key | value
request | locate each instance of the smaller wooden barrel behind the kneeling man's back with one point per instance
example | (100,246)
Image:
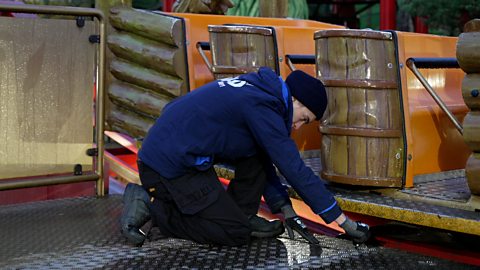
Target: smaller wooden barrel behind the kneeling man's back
(241,49)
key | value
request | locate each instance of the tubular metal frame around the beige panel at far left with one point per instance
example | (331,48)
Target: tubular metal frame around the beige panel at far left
(100,110)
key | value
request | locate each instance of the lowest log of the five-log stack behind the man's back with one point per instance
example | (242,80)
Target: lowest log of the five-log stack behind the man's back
(127,122)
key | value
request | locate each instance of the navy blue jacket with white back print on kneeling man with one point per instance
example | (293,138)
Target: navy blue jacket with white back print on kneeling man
(236,118)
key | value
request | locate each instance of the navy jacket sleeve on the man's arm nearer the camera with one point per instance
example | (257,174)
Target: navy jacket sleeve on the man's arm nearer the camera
(268,128)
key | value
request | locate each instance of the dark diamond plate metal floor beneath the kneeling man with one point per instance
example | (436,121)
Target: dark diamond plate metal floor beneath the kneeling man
(83,233)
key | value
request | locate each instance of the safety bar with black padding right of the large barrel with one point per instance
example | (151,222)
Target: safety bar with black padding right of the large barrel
(430,63)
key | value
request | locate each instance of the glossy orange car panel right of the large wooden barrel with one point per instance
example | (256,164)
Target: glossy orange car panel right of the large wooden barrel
(432,140)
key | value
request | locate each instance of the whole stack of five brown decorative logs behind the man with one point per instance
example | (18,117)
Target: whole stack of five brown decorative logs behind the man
(149,67)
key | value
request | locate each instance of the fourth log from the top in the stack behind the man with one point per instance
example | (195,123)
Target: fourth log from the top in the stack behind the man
(137,99)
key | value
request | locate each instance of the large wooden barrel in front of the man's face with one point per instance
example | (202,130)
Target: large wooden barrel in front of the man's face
(362,128)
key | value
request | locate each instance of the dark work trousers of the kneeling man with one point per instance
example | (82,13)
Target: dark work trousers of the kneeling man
(196,207)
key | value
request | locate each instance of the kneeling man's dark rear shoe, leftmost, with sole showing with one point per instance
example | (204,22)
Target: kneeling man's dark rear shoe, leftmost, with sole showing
(135,213)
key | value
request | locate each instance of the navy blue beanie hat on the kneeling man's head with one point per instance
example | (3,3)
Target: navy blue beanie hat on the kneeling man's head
(309,91)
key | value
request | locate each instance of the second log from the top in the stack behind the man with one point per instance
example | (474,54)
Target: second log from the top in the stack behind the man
(148,53)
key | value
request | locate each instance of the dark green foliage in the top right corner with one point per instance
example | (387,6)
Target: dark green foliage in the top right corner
(443,17)
